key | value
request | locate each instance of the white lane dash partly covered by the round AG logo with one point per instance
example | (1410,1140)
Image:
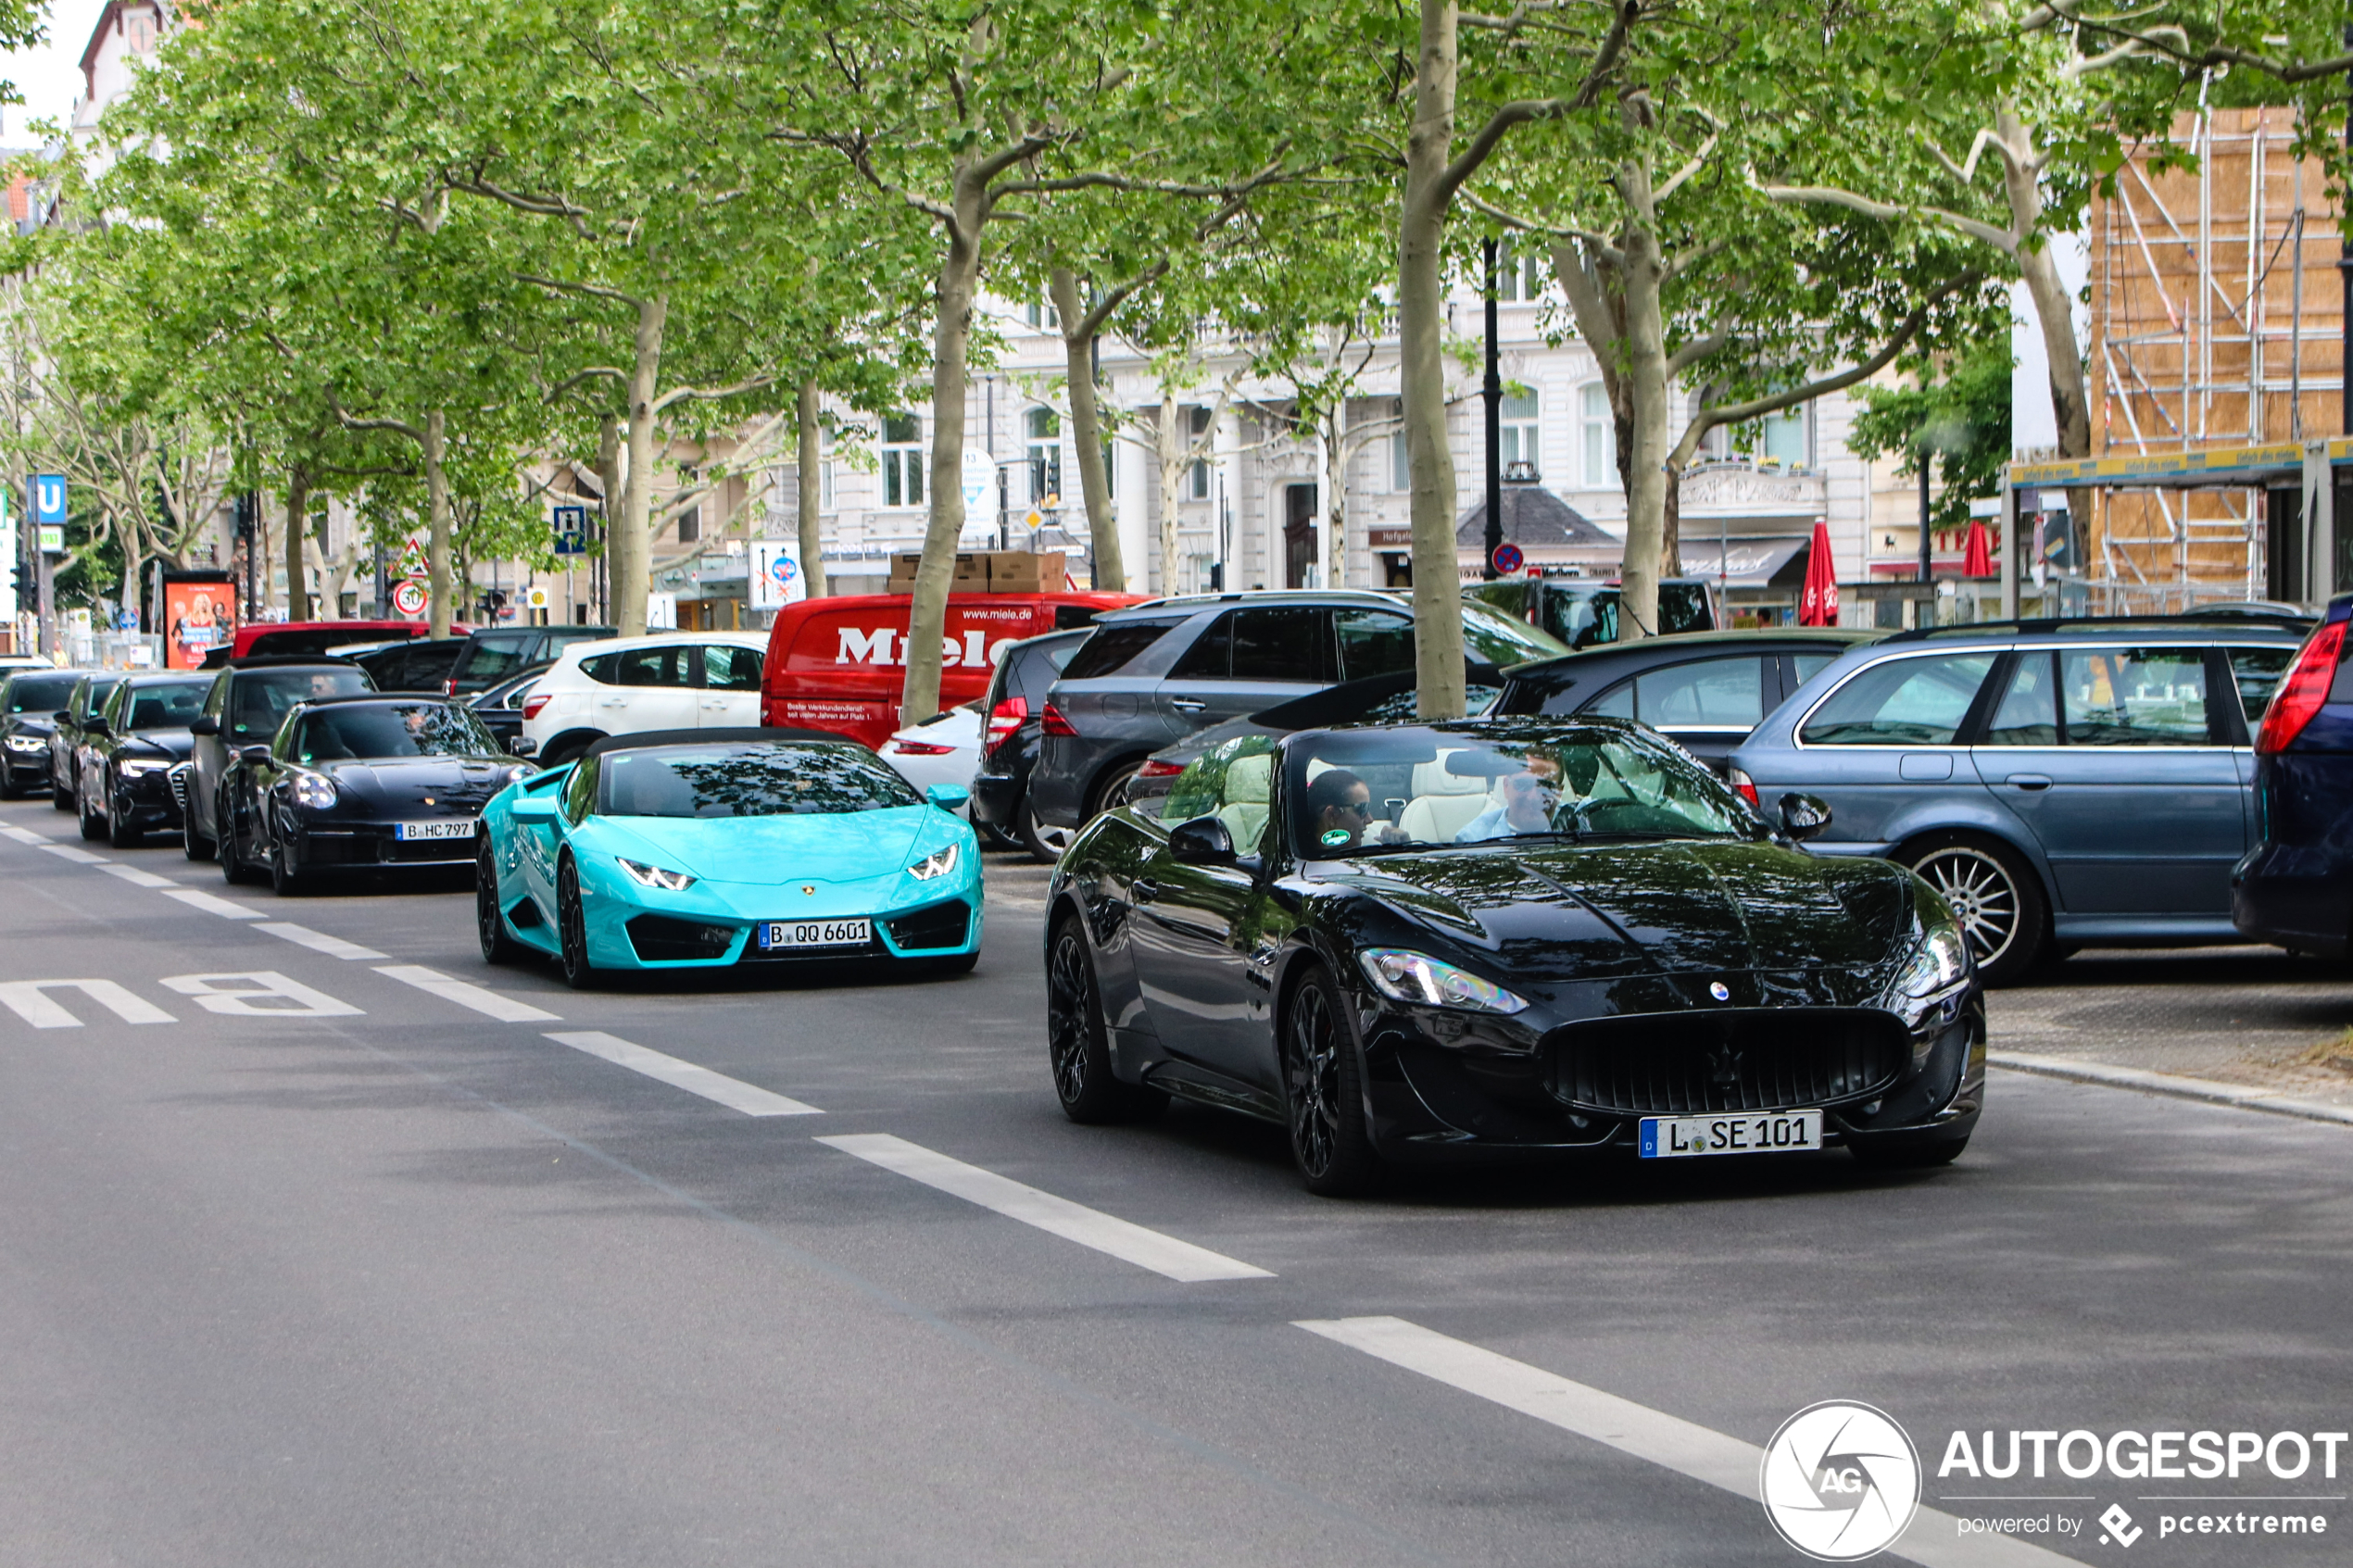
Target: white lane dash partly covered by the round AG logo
(1672,1442)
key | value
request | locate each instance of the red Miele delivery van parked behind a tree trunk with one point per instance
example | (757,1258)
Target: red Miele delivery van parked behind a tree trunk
(841,664)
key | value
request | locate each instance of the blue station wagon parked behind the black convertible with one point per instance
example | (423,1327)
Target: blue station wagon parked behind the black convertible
(2058,782)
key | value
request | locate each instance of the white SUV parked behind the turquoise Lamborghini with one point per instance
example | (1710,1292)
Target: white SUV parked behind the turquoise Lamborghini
(634,685)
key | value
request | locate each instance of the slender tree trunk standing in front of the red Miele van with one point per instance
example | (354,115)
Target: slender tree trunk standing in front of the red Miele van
(928,612)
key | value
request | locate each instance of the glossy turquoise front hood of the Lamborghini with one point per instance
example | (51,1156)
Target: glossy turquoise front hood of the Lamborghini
(759,850)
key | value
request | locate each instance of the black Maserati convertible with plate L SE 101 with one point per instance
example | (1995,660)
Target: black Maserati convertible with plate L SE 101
(1514,937)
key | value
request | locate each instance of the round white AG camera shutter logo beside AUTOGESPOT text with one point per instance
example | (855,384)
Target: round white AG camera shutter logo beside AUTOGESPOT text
(1841,1482)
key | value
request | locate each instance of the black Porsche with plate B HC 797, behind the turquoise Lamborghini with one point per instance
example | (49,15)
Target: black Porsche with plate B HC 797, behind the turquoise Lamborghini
(361,782)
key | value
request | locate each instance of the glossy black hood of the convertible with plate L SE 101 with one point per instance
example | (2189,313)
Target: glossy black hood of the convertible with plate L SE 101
(1594,911)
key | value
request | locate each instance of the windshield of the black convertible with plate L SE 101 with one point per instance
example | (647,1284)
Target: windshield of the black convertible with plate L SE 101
(1415,789)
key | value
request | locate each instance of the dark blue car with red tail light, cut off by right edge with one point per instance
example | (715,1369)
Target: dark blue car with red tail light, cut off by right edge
(2295,887)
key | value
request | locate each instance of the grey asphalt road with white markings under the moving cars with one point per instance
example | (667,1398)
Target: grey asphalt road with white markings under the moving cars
(392,1280)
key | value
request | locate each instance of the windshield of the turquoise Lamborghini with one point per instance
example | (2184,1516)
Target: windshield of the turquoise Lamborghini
(756,779)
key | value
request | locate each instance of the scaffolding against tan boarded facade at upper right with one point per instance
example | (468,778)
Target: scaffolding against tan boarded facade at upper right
(2218,321)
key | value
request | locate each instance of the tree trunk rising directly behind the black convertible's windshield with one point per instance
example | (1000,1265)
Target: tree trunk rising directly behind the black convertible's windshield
(1439,610)
